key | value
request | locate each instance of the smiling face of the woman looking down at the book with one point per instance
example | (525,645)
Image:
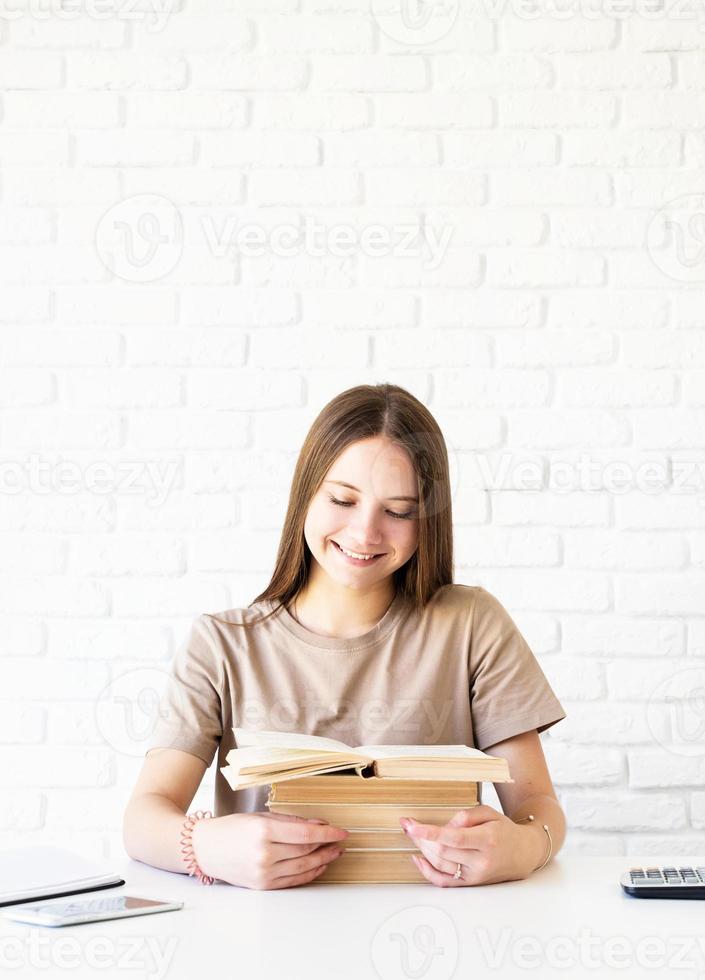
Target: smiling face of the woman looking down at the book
(367,520)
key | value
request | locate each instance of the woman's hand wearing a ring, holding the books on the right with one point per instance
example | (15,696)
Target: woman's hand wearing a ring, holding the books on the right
(488,846)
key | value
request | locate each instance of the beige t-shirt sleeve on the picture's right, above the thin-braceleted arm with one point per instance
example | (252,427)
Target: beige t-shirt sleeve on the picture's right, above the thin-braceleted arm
(509,693)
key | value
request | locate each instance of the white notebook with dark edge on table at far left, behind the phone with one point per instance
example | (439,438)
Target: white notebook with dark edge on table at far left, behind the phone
(41,871)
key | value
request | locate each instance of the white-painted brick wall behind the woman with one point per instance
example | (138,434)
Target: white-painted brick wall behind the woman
(157,373)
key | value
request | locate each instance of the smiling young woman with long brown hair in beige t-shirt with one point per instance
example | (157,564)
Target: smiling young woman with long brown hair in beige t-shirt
(361,635)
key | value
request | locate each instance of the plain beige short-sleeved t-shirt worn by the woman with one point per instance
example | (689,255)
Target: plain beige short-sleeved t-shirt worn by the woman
(460,672)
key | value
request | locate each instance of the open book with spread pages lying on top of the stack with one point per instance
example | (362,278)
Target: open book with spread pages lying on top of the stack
(264,757)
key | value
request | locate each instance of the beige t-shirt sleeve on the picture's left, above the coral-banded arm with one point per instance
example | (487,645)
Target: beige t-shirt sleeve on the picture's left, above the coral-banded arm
(190,709)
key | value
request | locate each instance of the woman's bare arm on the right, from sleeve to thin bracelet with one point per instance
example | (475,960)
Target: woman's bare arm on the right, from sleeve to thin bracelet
(531,792)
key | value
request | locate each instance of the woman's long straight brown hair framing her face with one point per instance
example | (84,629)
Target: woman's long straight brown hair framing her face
(359,413)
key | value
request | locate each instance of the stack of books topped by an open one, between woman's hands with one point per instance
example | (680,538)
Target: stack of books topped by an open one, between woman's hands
(365,790)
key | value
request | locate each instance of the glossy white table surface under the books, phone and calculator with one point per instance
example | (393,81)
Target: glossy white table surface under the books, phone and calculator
(569,920)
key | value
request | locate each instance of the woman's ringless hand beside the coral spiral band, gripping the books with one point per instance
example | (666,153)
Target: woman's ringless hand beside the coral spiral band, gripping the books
(265,850)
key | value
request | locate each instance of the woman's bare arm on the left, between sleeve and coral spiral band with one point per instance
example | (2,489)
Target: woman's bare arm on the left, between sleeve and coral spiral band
(156,810)
